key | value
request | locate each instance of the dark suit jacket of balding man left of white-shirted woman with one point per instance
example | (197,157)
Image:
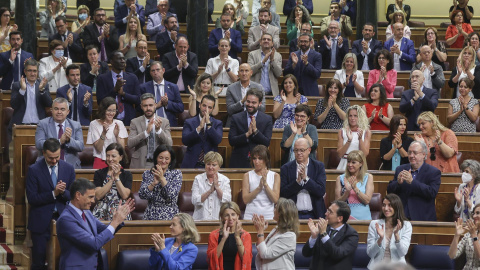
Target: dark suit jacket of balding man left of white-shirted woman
(189,74)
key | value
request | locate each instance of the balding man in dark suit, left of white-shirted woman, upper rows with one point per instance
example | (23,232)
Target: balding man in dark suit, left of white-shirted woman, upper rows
(181,66)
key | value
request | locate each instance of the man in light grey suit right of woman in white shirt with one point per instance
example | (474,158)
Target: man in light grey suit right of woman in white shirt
(266,65)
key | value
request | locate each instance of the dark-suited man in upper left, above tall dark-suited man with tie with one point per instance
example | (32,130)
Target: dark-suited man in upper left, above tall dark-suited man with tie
(102,35)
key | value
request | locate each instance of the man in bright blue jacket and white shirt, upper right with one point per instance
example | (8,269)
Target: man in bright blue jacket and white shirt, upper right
(401,48)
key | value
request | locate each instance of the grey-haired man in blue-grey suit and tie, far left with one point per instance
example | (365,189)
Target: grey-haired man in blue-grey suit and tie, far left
(68,132)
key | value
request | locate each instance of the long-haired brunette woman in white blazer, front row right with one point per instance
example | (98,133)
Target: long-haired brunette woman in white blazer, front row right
(389,237)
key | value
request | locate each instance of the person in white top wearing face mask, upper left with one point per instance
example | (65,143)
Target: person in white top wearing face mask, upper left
(53,67)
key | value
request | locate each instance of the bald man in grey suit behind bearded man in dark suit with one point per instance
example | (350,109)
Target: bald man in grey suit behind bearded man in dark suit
(237,92)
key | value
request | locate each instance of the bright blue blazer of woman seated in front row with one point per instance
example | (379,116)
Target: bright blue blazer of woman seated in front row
(182,258)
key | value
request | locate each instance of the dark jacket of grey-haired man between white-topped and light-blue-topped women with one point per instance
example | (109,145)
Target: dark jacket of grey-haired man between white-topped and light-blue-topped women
(316,185)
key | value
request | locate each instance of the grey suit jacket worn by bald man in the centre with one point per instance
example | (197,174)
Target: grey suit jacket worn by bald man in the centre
(234,98)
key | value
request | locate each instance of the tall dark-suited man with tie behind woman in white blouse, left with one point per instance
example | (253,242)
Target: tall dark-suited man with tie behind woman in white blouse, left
(122,86)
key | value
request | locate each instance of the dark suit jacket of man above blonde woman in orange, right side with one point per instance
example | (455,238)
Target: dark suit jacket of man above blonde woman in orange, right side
(428,103)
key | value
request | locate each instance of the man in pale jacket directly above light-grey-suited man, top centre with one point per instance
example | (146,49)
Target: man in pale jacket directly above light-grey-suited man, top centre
(255,33)
